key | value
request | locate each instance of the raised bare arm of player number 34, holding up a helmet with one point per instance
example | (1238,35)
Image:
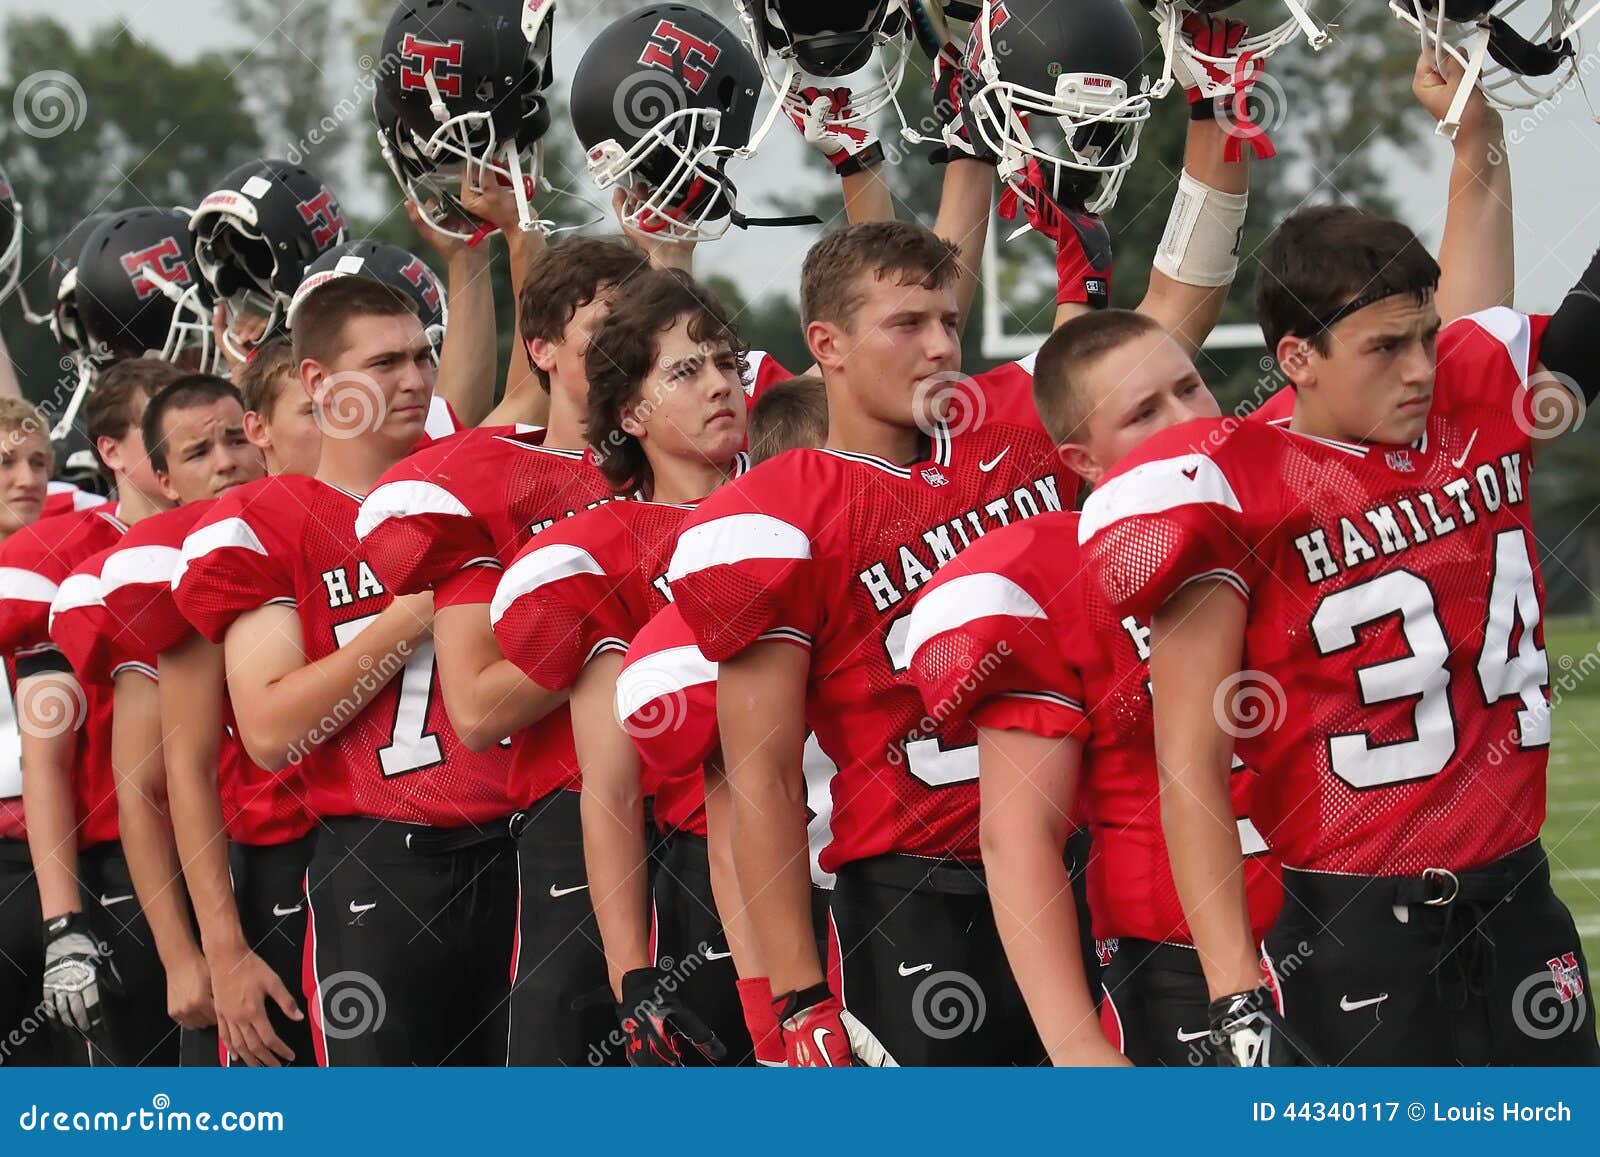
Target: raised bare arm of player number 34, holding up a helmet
(1478,252)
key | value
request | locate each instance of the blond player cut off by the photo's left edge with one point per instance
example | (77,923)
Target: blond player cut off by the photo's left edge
(26,460)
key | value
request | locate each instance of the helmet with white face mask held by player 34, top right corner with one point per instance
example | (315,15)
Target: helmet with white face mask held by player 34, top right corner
(1518,52)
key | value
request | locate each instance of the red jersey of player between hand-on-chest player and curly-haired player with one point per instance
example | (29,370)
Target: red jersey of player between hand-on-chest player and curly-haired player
(454,516)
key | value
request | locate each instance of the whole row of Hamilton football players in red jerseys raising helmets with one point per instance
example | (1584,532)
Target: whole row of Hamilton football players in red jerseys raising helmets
(679,711)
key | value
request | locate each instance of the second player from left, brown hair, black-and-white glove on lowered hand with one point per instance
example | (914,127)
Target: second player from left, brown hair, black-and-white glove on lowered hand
(70,793)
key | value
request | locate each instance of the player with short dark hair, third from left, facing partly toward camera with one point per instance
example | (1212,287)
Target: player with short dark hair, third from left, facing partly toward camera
(105,625)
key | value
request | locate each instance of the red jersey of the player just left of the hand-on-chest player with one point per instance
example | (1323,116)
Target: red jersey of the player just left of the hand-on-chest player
(137,590)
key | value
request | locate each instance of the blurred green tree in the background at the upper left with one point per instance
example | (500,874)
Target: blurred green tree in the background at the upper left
(105,122)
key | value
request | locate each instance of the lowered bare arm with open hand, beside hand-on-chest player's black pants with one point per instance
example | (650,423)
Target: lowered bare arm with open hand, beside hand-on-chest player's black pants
(193,679)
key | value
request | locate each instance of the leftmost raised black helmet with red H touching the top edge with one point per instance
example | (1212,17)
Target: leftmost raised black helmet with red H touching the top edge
(463,89)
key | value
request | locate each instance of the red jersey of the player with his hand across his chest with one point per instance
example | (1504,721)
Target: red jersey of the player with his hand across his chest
(292,540)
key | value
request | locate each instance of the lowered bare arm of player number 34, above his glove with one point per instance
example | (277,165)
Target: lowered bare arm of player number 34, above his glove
(1198,643)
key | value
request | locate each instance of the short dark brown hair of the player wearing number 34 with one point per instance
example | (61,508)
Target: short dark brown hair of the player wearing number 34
(1327,257)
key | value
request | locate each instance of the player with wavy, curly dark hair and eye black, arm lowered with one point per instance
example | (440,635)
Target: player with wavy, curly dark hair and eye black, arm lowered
(666,420)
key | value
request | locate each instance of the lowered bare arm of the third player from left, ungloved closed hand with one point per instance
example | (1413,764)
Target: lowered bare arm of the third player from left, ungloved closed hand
(145,823)
